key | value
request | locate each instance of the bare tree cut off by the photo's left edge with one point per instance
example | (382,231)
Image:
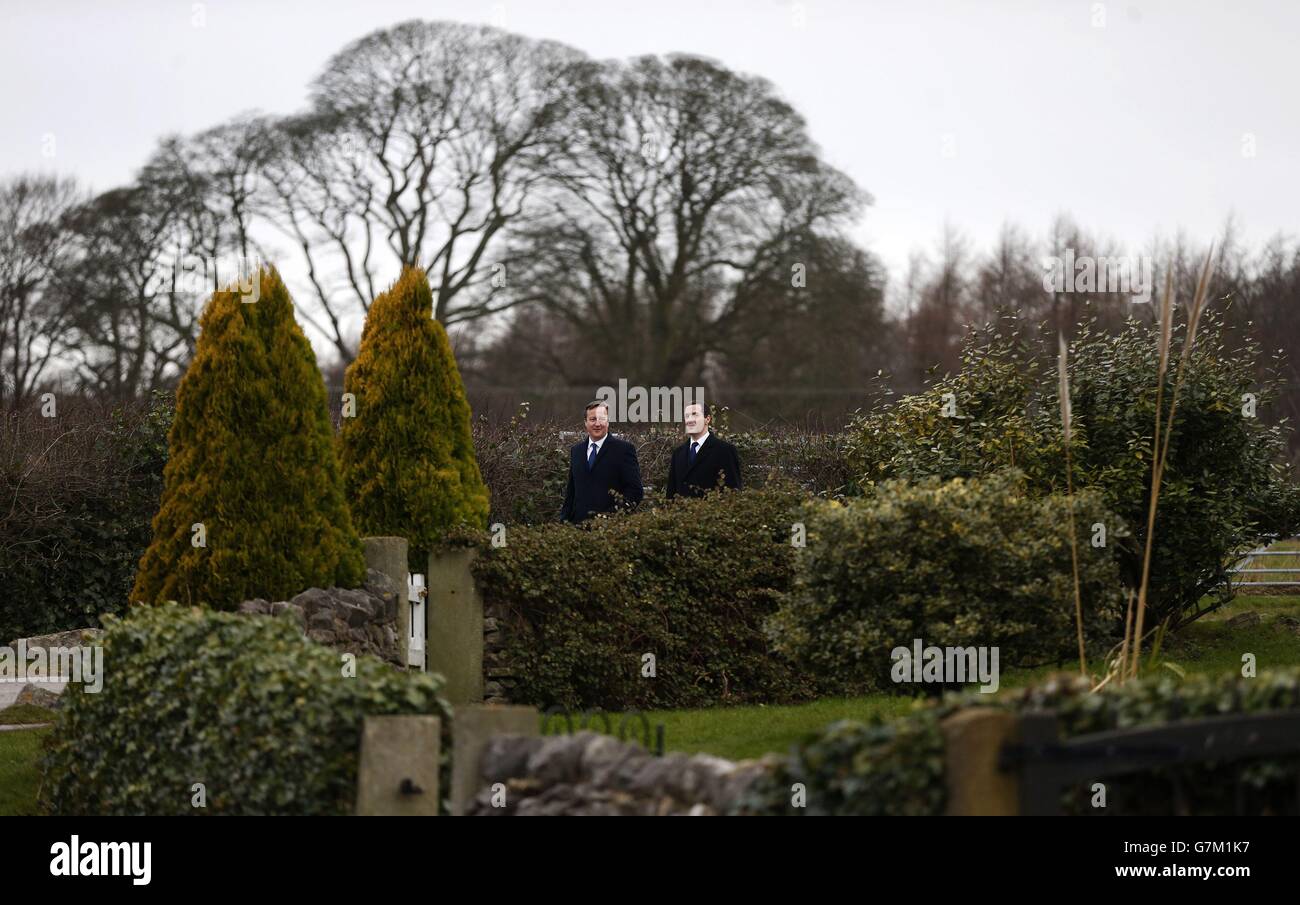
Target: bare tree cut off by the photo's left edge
(34,246)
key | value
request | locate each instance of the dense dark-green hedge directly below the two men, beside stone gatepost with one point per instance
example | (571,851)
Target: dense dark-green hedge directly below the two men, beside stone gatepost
(691,583)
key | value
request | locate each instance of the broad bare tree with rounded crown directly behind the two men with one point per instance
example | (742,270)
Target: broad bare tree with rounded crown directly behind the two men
(682,206)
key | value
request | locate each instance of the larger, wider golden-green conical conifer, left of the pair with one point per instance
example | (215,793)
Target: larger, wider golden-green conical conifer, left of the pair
(252,457)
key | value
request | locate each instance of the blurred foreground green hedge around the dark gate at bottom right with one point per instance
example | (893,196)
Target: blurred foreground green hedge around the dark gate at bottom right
(898,769)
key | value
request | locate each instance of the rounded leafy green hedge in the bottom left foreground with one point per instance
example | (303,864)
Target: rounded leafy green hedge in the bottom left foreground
(245,705)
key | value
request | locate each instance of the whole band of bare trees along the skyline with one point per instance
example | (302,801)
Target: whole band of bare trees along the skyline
(660,220)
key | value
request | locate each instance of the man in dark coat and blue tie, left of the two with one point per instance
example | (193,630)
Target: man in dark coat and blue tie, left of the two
(600,467)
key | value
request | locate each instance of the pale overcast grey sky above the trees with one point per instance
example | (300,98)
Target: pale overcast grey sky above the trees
(1134,118)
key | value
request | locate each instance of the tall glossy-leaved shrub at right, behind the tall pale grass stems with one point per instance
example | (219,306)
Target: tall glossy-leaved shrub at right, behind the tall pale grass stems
(1225,488)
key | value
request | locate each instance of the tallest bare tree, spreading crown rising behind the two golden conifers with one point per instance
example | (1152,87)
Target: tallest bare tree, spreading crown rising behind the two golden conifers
(422,146)
